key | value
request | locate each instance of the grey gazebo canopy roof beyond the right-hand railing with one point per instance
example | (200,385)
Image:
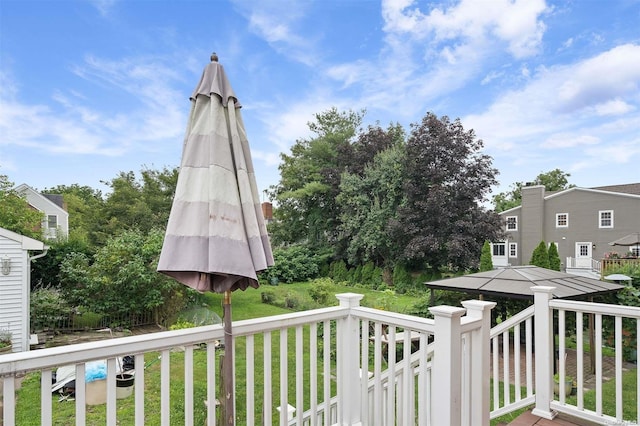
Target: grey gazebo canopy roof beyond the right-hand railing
(517,281)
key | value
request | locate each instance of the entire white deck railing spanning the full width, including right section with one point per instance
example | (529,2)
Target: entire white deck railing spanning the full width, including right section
(351,365)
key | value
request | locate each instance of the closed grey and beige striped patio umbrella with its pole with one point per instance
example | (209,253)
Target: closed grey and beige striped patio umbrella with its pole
(216,238)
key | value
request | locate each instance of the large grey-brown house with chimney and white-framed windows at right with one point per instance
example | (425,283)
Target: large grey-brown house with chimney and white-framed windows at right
(580,221)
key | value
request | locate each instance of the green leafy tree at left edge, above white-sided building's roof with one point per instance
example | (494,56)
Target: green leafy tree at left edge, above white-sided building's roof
(15,213)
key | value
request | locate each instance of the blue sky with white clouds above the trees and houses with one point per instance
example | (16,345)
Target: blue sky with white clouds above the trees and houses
(91,88)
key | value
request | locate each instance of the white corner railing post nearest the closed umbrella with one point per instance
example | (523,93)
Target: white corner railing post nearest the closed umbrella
(348,370)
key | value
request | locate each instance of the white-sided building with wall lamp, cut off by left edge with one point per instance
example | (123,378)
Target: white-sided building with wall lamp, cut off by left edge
(15,287)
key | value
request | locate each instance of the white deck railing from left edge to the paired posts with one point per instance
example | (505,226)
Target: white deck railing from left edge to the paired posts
(333,345)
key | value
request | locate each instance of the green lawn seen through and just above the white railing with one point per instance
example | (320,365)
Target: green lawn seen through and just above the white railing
(245,305)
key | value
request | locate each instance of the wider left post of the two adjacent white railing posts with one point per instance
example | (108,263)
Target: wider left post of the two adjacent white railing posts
(447,366)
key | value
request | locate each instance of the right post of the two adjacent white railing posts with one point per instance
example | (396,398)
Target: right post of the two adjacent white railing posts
(480,361)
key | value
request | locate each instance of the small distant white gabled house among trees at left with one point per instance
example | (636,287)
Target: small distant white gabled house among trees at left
(56,221)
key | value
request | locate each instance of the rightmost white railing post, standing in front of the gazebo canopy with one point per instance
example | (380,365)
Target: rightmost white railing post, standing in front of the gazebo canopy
(543,327)
